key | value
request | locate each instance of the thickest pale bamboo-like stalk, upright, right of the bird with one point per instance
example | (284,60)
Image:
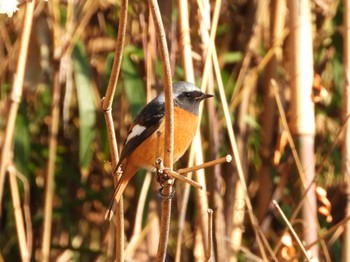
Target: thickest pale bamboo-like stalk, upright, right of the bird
(302,123)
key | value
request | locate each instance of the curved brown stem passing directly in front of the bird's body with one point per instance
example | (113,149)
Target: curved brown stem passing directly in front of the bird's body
(169,130)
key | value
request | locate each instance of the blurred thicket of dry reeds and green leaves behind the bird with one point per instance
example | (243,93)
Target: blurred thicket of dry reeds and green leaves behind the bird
(69,60)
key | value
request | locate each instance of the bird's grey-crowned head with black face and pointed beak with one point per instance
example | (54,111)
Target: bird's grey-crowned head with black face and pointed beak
(187,96)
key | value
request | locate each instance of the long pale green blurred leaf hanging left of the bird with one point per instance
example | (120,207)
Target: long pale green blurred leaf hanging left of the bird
(86,104)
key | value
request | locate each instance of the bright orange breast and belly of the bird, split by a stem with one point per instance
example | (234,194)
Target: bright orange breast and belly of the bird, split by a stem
(185,125)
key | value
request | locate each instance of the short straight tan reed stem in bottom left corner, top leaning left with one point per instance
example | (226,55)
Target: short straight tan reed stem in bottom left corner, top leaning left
(23,247)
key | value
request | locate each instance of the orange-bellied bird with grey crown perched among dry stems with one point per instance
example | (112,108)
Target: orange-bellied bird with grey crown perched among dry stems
(145,141)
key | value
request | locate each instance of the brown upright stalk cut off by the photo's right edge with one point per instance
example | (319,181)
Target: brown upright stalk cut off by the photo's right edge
(346,112)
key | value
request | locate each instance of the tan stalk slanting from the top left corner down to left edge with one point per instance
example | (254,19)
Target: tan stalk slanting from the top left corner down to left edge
(16,95)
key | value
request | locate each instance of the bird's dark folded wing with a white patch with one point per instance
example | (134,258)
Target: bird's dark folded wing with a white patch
(144,125)
